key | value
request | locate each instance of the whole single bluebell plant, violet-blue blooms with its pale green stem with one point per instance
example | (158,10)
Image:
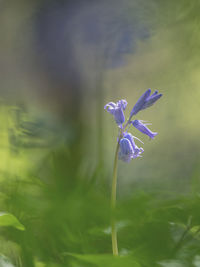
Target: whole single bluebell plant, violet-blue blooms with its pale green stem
(126,148)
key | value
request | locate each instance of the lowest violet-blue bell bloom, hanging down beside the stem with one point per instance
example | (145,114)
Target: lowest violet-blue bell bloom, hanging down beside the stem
(128,149)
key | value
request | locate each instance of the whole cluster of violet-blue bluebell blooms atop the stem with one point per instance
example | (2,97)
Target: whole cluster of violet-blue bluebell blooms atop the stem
(127,147)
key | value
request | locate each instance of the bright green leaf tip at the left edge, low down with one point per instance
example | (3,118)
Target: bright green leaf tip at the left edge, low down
(7,219)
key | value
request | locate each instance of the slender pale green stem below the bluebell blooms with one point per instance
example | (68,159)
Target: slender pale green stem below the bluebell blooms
(113,203)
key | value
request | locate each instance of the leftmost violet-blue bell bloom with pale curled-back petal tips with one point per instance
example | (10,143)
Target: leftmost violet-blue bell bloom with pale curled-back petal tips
(116,109)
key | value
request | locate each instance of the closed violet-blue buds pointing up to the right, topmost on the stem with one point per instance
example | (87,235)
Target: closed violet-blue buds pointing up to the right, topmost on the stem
(145,101)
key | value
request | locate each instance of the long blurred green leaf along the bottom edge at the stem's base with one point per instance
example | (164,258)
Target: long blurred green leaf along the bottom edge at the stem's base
(107,260)
